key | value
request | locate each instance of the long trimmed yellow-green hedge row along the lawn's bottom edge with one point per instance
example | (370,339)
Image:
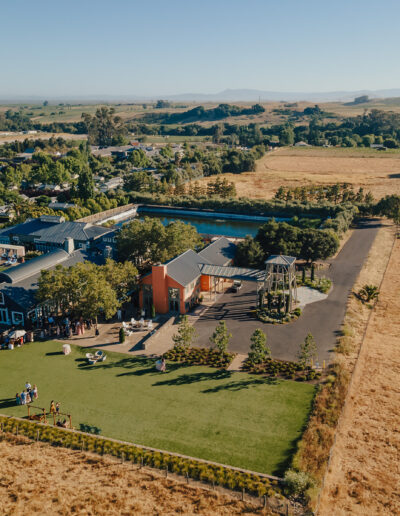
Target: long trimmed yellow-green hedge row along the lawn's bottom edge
(223,476)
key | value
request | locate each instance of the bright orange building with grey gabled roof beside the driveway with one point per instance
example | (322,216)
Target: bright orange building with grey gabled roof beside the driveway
(176,285)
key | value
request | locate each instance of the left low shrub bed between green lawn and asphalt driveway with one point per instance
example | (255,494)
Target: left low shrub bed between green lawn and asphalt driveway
(200,356)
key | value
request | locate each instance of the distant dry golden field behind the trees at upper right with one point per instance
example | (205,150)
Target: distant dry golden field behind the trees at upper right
(378,172)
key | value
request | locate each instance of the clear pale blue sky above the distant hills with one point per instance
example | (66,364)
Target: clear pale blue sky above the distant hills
(154,47)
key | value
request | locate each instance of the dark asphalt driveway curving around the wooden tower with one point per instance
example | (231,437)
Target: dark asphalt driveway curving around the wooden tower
(322,319)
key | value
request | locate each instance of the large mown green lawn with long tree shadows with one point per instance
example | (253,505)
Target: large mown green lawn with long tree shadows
(232,418)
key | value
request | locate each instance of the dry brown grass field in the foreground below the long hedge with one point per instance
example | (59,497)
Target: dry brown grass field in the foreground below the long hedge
(38,479)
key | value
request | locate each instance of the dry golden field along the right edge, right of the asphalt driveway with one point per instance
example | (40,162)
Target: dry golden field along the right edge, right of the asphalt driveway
(364,474)
